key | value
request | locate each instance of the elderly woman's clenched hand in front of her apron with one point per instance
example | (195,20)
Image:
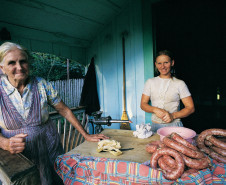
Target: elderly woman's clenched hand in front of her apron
(15,144)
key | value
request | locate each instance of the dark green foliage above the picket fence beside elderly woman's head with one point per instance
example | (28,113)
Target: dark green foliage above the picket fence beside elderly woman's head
(52,67)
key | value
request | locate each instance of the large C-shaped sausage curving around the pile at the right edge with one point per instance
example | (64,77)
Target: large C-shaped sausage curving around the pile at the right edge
(202,136)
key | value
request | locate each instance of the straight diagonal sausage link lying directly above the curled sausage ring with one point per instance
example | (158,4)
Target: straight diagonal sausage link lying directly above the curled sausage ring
(183,149)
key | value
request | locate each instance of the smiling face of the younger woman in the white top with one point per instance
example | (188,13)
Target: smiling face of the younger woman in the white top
(163,64)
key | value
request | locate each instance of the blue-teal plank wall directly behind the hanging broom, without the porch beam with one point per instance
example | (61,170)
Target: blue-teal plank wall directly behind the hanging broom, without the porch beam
(107,50)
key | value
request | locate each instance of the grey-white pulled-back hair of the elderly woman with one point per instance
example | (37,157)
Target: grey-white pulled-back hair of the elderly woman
(10,46)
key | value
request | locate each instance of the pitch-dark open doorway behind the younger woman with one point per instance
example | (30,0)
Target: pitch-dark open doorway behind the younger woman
(195,31)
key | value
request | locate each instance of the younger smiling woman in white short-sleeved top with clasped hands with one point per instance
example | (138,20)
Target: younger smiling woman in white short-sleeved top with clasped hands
(165,92)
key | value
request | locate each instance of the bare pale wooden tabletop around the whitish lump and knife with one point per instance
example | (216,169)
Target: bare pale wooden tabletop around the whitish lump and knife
(126,139)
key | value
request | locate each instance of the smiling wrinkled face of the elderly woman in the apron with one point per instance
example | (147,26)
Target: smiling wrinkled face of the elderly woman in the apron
(16,65)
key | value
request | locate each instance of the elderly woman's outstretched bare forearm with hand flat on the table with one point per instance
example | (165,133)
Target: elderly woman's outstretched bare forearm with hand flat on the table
(68,114)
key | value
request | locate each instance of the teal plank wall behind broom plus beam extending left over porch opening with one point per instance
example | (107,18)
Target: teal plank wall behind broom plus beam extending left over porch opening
(107,50)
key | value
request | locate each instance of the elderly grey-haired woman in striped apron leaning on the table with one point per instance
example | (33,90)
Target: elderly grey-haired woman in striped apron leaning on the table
(24,119)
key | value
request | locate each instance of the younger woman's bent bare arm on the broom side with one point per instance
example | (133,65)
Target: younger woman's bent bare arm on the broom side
(148,108)
